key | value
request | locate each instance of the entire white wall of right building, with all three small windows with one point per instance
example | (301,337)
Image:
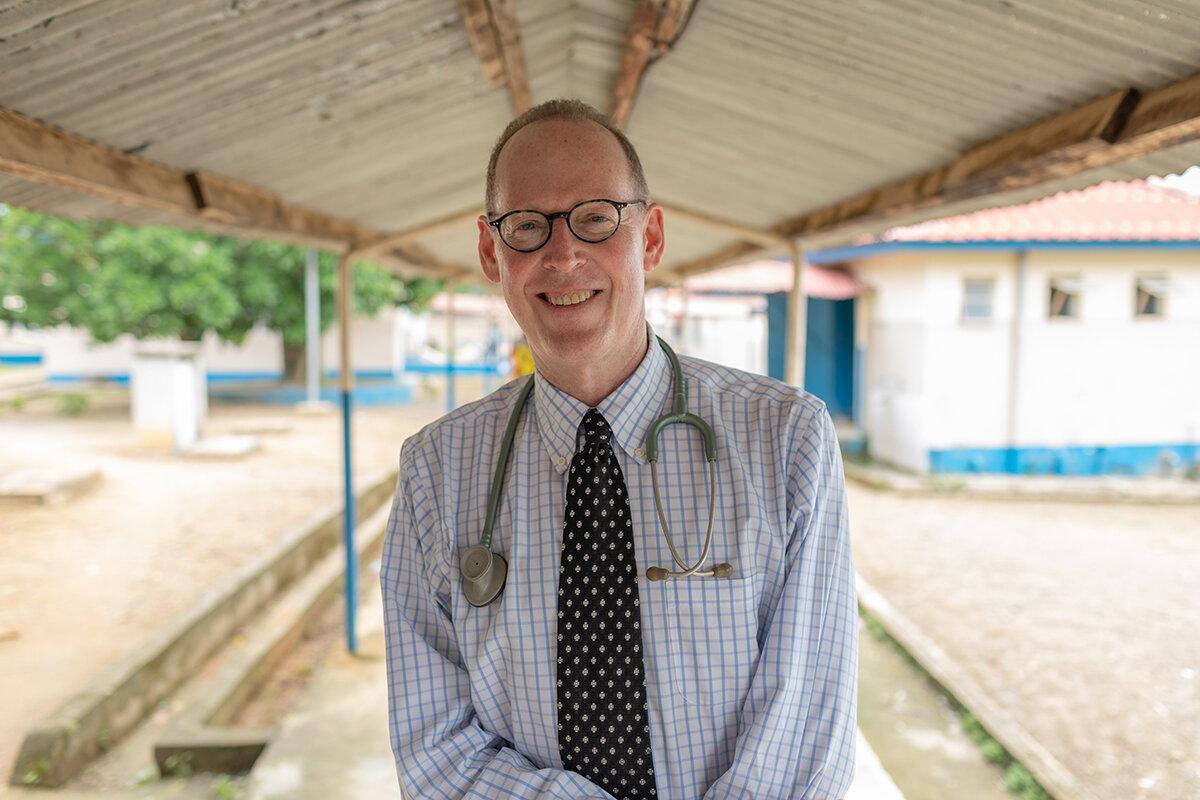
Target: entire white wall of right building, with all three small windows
(1103,378)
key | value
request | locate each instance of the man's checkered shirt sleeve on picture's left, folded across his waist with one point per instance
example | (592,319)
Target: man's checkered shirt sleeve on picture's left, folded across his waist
(441,749)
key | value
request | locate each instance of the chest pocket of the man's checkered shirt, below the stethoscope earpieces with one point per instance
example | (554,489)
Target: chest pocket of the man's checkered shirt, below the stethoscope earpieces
(712,634)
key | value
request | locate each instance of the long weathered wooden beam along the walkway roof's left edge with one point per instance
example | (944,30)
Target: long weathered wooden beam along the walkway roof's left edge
(39,153)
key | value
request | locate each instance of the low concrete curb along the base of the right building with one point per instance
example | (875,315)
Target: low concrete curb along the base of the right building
(951,488)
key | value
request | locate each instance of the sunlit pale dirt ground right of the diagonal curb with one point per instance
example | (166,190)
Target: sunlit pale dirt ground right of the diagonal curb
(1082,619)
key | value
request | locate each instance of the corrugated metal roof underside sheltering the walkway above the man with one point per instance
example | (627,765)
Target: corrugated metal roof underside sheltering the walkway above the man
(377,112)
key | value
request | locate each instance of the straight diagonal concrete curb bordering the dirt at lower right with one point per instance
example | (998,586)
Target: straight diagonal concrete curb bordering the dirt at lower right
(1052,774)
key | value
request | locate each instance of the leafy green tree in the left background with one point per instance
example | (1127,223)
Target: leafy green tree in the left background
(163,282)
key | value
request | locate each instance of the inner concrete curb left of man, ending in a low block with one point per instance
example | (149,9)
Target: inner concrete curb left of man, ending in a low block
(200,737)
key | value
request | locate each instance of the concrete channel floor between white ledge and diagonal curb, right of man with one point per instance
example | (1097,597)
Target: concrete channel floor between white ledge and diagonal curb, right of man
(916,732)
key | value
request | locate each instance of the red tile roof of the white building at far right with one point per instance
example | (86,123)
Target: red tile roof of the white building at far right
(1108,212)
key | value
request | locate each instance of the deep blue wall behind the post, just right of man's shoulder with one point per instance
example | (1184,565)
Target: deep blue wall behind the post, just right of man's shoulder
(830,356)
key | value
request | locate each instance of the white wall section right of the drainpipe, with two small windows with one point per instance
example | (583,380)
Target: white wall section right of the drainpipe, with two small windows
(1109,377)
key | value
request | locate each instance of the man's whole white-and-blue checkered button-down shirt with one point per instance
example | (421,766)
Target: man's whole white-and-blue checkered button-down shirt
(751,682)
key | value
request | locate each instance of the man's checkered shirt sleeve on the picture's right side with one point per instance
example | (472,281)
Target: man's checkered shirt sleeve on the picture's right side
(797,730)
